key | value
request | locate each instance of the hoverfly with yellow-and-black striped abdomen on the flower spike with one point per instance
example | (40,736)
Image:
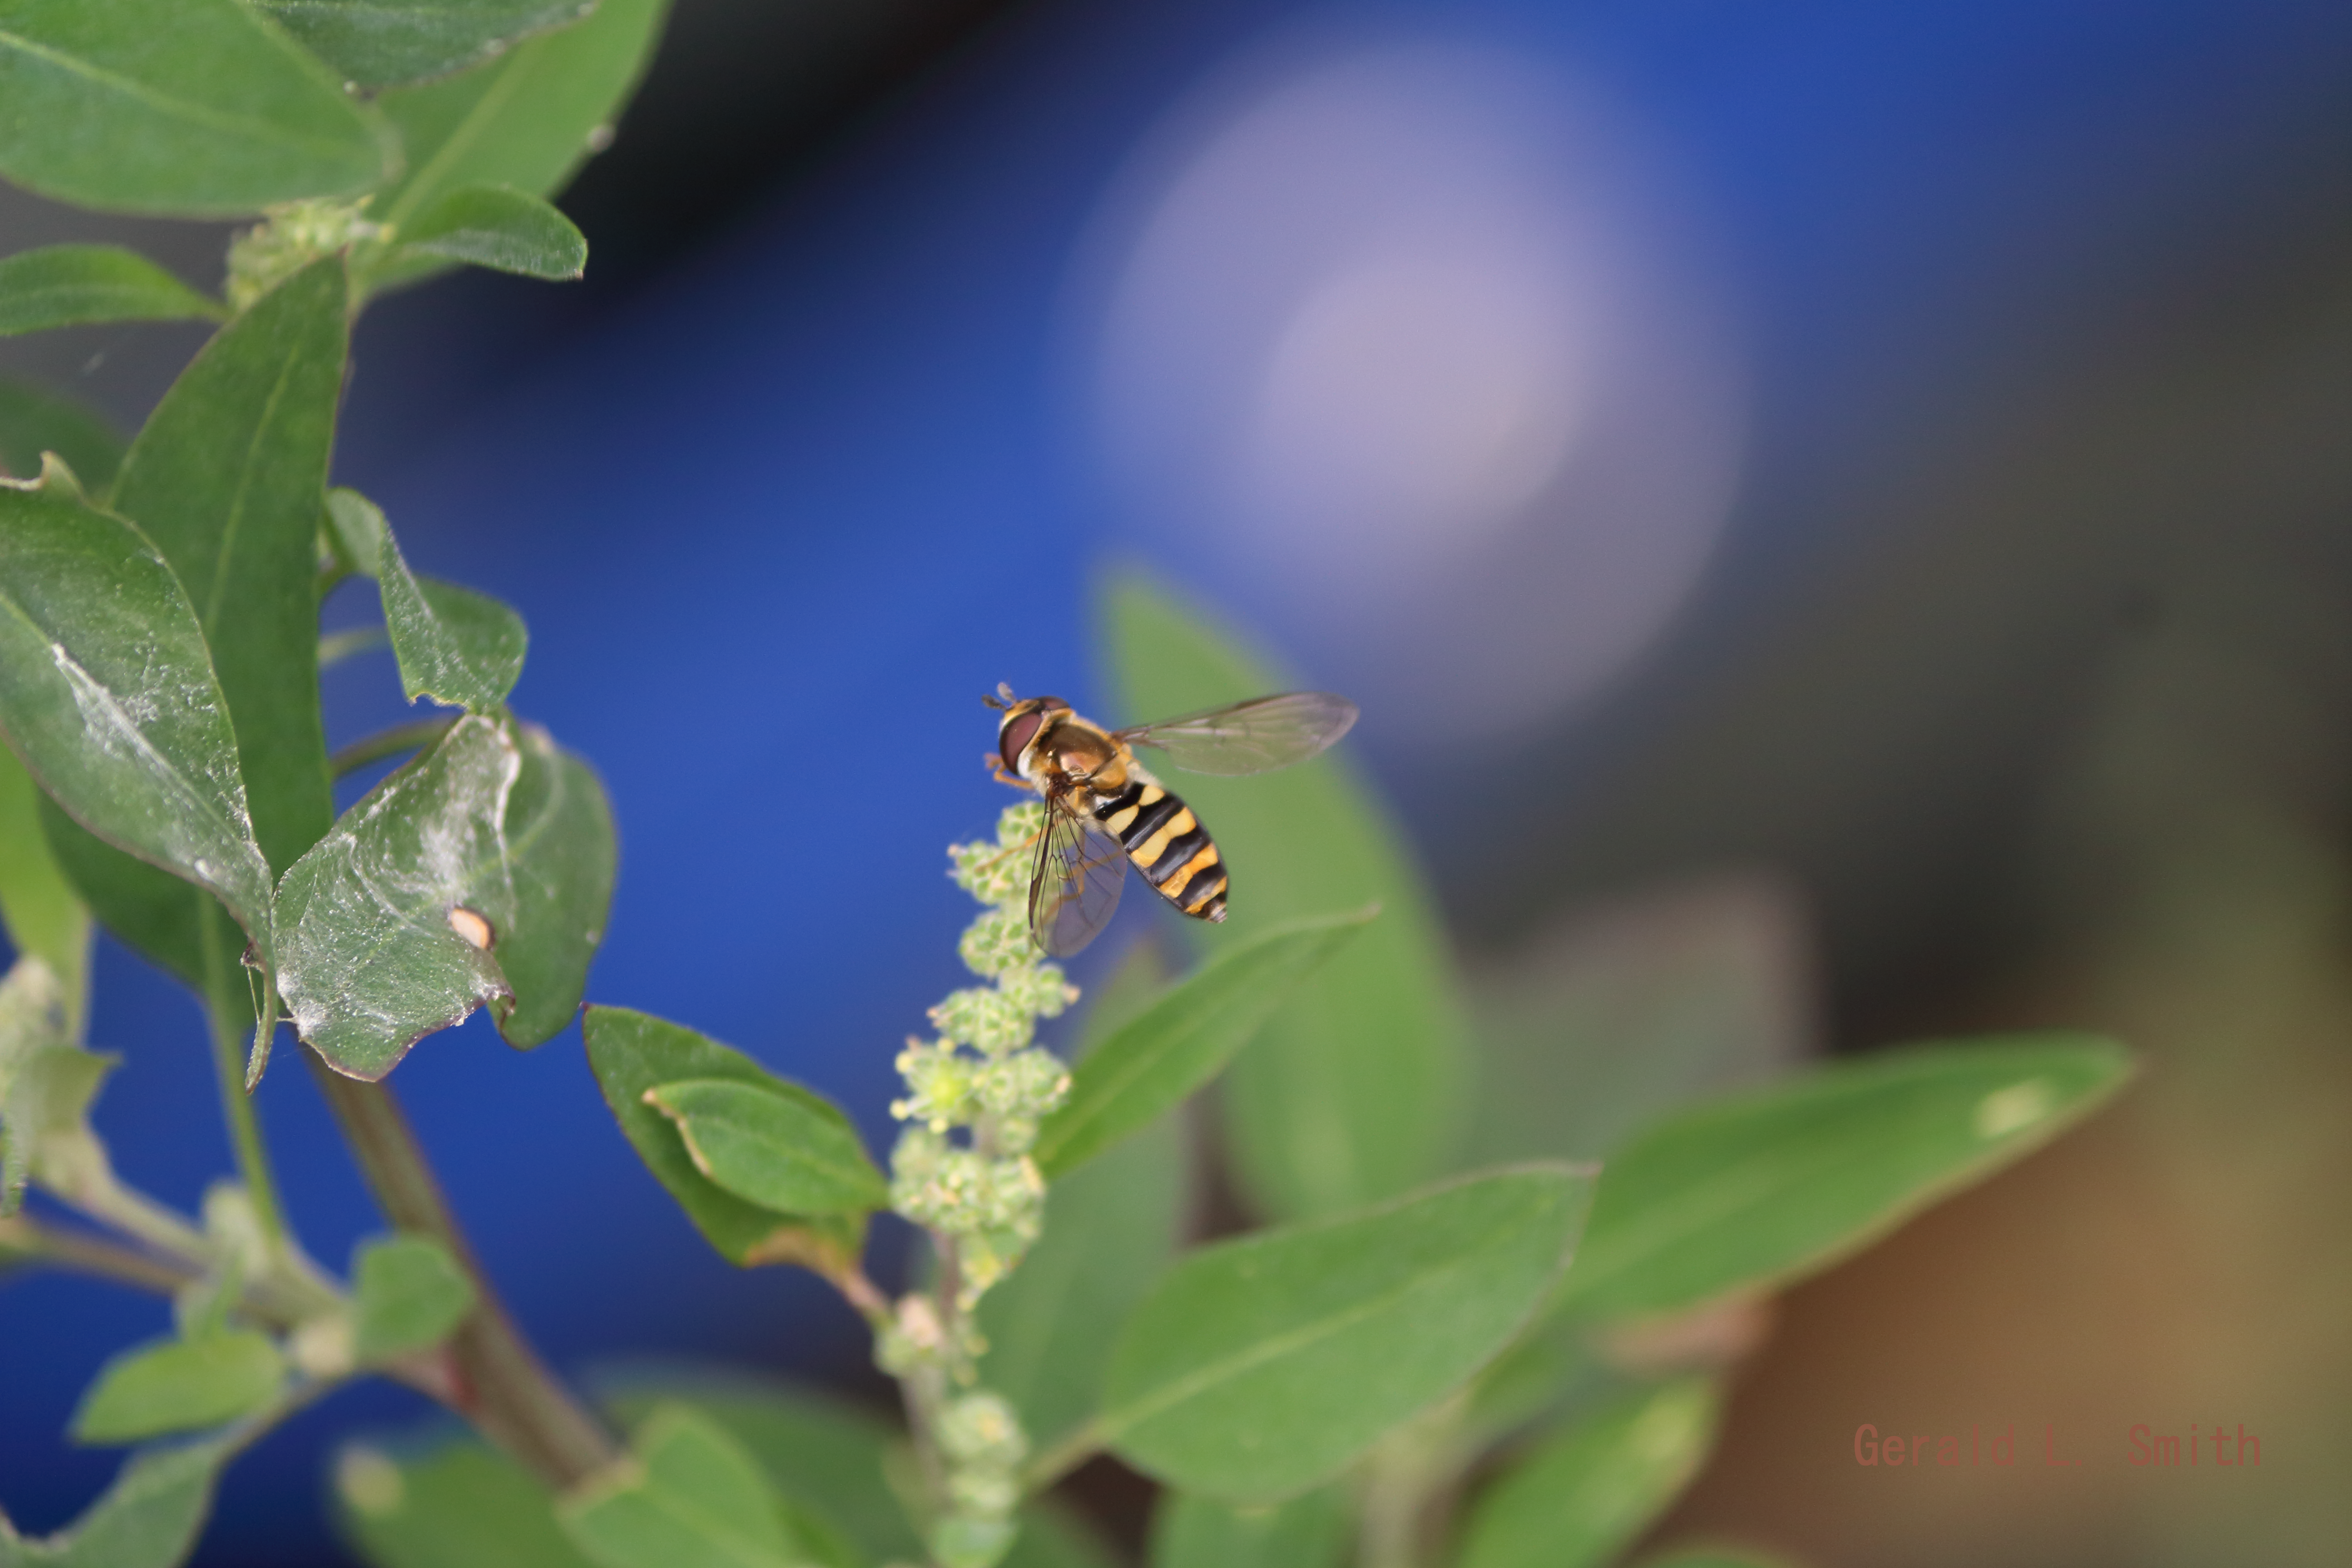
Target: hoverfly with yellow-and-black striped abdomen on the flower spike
(1104,810)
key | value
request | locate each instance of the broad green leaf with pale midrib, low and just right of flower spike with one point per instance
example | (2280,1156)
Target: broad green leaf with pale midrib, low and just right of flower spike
(1264,1367)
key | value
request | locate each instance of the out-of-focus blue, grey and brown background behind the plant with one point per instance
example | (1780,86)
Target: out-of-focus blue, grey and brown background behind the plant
(1902,448)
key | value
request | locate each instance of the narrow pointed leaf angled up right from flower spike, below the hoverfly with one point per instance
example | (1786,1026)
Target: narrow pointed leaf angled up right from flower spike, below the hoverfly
(1184,1038)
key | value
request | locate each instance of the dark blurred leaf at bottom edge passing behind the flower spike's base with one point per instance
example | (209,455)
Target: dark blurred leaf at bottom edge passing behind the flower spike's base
(829,1461)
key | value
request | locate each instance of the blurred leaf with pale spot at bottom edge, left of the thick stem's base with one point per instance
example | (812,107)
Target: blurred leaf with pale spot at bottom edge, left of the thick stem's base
(465,1506)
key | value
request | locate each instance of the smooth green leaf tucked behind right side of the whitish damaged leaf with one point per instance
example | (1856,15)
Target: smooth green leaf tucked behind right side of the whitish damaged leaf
(561,866)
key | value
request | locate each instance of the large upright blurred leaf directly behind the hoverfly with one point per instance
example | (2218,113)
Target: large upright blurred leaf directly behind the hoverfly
(1354,1092)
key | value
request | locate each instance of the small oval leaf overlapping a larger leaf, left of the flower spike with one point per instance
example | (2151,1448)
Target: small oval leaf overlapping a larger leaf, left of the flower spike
(777,1146)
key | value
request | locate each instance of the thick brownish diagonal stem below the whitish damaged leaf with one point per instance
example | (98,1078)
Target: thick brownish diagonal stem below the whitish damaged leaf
(502,1386)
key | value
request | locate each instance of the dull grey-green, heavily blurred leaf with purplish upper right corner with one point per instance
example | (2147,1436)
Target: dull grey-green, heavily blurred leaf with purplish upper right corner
(1633,1010)
